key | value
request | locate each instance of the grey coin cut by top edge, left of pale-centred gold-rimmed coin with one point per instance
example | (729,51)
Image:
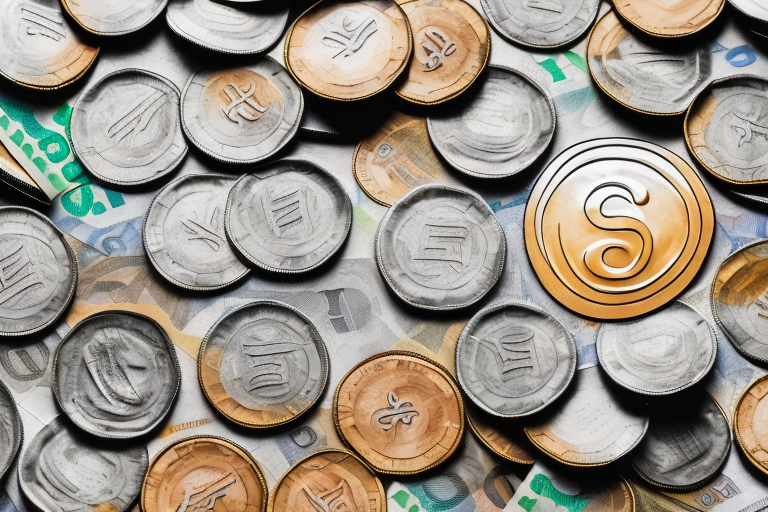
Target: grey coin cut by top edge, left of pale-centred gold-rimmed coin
(226,29)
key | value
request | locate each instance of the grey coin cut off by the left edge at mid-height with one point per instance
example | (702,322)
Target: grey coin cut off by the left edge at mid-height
(38,272)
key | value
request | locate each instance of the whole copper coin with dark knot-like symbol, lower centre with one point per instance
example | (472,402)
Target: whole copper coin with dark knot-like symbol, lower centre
(400,411)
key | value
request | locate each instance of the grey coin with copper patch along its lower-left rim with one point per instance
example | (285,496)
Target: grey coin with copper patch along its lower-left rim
(263,364)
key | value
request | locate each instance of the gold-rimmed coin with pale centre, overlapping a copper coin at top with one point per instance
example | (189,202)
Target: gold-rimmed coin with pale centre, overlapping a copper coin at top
(349,50)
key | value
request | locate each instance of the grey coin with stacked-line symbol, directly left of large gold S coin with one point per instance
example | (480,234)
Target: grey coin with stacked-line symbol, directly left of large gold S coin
(440,248)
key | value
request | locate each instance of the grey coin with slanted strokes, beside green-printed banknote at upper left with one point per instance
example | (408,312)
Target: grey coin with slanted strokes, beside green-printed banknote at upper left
(126,130)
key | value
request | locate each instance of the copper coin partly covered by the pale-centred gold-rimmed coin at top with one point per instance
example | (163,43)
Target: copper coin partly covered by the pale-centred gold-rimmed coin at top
(451,44)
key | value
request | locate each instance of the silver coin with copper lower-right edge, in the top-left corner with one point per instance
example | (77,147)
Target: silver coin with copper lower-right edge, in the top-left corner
(38,49)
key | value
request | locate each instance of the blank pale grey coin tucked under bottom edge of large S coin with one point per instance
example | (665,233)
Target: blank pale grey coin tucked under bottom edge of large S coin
(660,354)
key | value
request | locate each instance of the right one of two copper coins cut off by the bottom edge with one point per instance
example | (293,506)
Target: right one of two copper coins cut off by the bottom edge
(329,480)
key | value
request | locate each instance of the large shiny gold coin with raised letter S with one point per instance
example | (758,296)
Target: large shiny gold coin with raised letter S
(615,228)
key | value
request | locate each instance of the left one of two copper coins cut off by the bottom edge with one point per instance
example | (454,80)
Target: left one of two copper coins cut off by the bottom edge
(204,473)
